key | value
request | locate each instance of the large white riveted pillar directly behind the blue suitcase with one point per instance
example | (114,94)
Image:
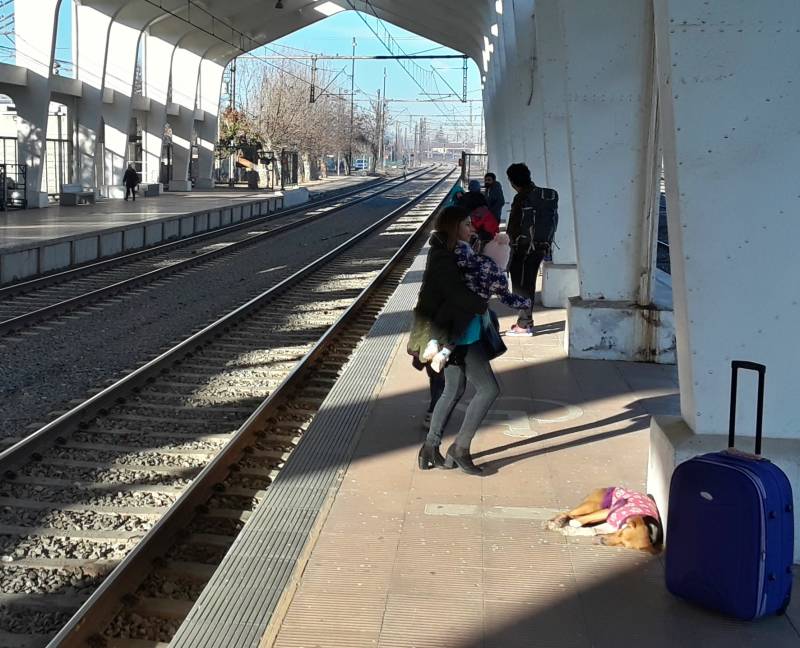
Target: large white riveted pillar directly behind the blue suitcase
(729,90)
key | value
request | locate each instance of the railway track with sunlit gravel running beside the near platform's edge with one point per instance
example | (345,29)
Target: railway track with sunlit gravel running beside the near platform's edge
(122,506)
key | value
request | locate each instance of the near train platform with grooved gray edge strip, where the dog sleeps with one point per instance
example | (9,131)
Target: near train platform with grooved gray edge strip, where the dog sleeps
(354,546)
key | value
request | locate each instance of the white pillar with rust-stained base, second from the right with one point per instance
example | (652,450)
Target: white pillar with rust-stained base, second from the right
(609,52)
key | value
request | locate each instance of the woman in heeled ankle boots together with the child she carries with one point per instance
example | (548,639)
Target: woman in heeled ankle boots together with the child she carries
(448,311)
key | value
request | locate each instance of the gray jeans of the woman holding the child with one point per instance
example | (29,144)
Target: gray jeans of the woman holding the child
(477,370)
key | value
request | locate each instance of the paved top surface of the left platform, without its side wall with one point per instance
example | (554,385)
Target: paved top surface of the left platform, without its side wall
(22,228)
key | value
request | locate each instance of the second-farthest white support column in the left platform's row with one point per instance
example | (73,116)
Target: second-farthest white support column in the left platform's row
(185,73)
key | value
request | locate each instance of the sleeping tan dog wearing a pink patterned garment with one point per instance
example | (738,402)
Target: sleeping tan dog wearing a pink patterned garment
(624,518)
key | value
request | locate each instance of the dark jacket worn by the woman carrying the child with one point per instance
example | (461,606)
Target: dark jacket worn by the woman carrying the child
(445,305)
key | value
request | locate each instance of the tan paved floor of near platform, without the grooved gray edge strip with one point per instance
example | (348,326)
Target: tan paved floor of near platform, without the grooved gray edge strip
(441,559)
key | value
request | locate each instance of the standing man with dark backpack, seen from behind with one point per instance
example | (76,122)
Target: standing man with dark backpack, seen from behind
(531,228)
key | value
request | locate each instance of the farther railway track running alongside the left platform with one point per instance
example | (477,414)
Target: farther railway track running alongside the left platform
(26,304)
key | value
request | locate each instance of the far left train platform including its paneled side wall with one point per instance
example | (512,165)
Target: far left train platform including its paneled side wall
(38,241)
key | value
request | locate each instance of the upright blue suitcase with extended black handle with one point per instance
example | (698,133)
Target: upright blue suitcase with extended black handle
(730,528)
